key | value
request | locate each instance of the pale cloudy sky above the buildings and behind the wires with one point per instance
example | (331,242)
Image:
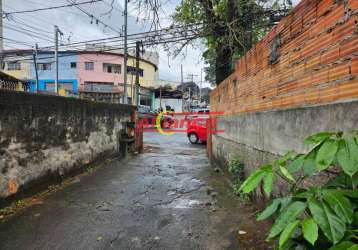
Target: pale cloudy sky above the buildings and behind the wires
(37,27)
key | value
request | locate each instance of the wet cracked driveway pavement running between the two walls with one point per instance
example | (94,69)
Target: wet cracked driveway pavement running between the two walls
(167,198)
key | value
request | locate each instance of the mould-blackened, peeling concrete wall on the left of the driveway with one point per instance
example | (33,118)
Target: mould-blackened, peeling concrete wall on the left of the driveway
(42,136)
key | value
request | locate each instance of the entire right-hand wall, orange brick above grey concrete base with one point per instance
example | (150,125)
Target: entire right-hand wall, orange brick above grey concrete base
(312,86)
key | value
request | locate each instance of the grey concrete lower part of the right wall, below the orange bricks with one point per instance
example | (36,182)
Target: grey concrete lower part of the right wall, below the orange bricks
(259,138)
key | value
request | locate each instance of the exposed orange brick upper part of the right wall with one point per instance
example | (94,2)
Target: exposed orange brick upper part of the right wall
(318,62)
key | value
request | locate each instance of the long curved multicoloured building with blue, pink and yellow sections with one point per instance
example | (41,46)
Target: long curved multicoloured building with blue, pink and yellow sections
(94,75)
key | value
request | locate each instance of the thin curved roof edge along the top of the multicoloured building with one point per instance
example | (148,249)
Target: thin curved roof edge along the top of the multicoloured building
(20,52)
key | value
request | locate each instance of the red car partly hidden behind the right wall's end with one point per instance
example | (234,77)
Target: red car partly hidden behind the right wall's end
(197,129)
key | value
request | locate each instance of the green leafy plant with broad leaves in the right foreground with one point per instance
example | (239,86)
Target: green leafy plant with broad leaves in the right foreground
(313,216)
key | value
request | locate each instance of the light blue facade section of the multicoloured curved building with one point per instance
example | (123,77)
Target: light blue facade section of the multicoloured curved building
(47,73)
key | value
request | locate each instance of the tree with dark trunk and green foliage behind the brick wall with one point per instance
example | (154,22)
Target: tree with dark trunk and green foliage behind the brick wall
(228,28)
